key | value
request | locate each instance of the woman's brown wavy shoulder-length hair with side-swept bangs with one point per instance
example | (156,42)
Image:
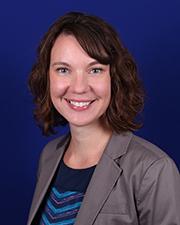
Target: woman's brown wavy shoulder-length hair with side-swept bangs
(101,42)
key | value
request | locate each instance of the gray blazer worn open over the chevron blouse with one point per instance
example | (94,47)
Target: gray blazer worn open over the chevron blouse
(134,183)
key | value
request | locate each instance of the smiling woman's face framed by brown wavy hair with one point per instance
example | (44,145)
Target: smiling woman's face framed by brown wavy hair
(80,87)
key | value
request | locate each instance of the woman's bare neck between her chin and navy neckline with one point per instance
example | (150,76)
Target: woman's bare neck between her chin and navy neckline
(86,146)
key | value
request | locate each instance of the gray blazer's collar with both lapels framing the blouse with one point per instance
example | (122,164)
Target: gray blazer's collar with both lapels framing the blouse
(104,177)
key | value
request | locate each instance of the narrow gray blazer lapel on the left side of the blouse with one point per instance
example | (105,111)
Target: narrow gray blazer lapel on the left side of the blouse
(48,171)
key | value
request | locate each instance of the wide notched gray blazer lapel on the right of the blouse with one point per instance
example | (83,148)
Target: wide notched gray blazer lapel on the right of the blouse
(103,180)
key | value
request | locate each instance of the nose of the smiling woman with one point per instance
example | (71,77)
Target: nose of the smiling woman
(79,83)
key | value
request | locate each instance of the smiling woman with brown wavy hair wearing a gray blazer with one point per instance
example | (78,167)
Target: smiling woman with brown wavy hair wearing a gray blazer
(100,173)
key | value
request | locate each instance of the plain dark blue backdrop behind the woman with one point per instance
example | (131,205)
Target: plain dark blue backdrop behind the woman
(151,31)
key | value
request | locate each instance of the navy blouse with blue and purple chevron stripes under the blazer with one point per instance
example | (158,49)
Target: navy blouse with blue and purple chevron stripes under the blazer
(65,196)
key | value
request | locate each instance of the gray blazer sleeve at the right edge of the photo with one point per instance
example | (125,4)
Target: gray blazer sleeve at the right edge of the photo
(159,194)
